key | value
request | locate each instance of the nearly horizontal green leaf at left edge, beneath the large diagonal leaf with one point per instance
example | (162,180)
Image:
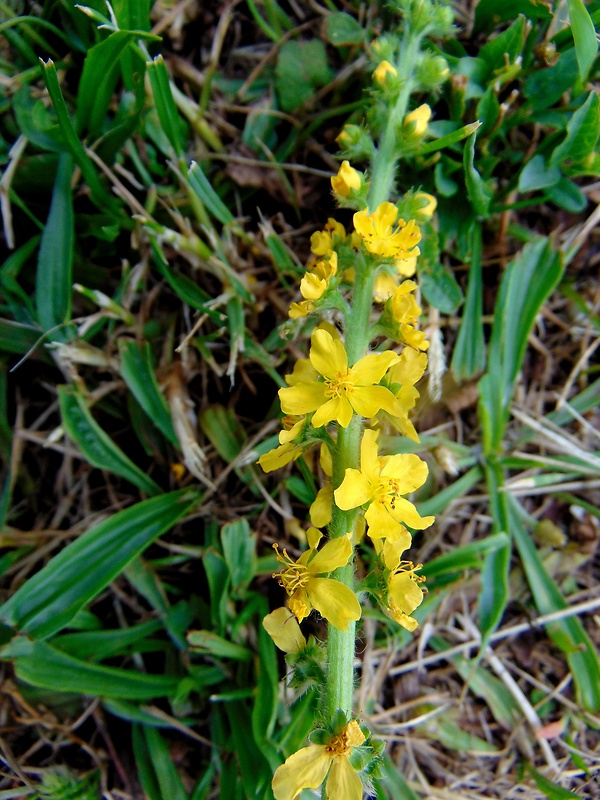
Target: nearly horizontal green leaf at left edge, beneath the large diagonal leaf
(41,665)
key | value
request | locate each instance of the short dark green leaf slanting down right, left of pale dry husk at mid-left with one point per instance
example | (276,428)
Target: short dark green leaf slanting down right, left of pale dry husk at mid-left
(139,375)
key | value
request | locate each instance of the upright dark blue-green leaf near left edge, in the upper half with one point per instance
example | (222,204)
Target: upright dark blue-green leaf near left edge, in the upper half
(54,277)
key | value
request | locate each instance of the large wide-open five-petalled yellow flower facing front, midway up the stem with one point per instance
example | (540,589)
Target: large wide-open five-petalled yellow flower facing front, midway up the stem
(344,390)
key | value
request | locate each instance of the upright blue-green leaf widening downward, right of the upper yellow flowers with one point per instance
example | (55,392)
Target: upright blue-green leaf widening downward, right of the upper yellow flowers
(469,352)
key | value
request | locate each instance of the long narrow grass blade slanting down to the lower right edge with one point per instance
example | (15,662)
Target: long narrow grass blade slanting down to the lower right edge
(568,634)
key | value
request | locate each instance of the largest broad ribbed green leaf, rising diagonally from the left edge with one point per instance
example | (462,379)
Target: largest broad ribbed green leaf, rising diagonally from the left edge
(50,599)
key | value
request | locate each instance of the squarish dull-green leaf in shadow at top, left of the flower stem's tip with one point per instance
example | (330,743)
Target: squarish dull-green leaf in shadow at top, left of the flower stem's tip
(301,68)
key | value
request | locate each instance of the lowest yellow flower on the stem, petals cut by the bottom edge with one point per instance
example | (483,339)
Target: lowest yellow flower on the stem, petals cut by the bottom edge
(309,767)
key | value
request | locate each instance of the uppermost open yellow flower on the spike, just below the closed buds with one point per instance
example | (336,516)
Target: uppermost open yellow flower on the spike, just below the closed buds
(379,236)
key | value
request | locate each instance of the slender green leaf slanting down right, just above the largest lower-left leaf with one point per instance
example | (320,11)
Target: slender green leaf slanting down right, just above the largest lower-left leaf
(97,447)
